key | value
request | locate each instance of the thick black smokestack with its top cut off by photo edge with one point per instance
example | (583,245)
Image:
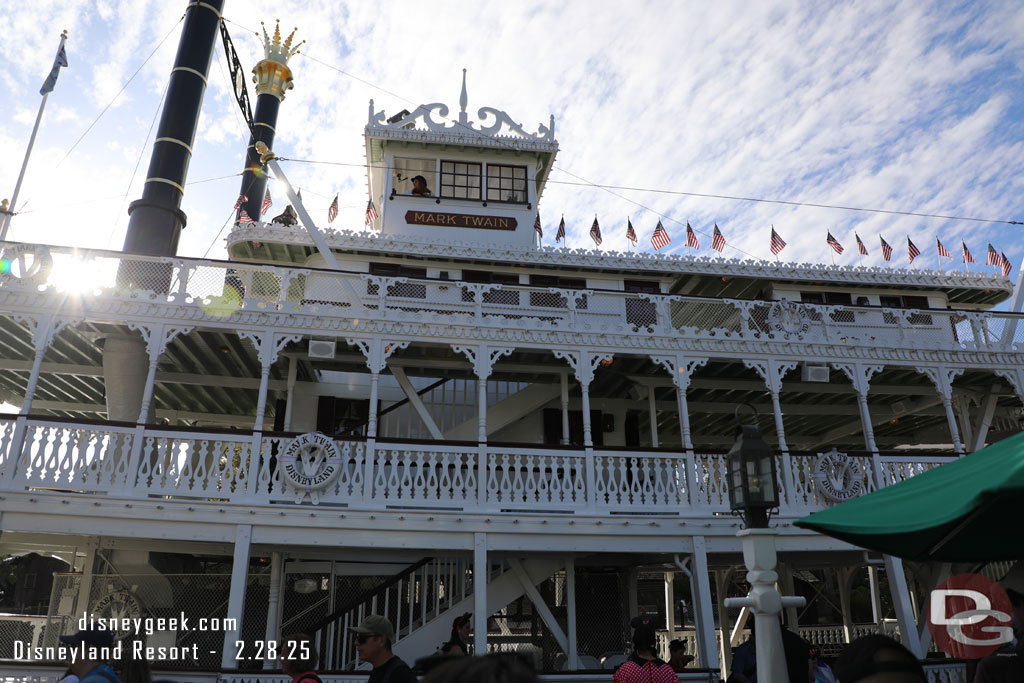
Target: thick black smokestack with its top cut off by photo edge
(157,220)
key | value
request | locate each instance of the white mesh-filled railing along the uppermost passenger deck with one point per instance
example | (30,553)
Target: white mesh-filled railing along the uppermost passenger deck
(222,289)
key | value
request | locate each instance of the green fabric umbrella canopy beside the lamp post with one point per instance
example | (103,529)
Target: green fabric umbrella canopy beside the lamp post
(968,510)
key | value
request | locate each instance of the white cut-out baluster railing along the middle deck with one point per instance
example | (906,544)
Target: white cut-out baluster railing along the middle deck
(243,467)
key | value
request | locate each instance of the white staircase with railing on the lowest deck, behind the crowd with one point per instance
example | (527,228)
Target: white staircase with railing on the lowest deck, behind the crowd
(421,602)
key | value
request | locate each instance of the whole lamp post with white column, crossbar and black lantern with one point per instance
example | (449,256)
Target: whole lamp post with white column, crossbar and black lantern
(753,492)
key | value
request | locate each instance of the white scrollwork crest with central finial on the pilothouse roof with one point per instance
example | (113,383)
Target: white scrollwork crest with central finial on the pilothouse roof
(502,127)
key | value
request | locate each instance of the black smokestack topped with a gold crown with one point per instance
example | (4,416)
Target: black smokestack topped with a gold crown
(273,78)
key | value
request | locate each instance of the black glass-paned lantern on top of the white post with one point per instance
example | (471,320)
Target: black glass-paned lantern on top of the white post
(753,488)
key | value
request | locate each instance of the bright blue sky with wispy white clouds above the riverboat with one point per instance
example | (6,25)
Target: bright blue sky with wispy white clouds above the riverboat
(915,107)
